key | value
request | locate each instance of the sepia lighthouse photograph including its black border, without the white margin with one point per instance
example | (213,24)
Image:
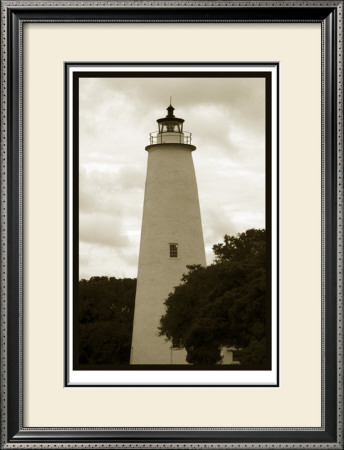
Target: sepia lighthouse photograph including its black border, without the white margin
(172,225)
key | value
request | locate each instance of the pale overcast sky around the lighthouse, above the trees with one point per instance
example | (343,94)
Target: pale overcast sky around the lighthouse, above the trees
(226,117)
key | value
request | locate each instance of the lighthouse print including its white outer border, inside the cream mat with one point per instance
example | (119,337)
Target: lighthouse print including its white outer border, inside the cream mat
(150,360)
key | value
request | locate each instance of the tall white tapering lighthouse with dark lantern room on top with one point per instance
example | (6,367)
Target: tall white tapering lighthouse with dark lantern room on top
(171,237)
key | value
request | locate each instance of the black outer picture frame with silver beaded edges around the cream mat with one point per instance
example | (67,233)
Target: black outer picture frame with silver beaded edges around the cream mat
(14,15)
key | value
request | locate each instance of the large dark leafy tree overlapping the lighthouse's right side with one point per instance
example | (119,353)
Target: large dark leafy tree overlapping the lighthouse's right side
(223,304)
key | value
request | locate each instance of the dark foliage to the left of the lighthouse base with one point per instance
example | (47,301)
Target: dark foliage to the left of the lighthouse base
(105,315)
